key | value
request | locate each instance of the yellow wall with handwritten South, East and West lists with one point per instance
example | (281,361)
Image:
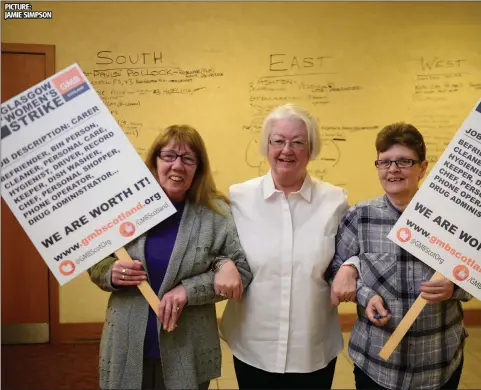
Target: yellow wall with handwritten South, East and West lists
(358,66)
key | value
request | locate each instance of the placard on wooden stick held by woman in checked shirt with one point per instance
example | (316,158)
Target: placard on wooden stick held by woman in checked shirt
(441,224)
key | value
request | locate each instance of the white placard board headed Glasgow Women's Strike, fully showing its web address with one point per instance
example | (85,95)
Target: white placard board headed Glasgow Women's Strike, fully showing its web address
(71,177)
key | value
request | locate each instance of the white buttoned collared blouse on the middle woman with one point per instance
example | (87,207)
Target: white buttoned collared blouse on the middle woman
(285,321)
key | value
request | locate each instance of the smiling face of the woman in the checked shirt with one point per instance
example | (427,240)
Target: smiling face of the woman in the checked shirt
(400,182)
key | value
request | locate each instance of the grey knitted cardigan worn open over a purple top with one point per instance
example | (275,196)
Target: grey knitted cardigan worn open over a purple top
(191,354)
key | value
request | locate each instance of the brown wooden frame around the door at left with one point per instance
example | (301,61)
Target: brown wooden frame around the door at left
(53,287)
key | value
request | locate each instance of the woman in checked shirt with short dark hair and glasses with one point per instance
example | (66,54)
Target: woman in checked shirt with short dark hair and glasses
(430,356)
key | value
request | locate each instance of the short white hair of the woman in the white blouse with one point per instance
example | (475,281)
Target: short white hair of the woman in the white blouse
(291,111)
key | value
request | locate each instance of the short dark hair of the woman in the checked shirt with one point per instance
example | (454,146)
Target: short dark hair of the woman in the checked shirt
(403,134)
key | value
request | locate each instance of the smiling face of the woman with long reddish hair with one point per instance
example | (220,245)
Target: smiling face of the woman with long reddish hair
(176,177)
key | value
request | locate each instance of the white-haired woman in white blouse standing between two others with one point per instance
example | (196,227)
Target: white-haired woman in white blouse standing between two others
(285,333)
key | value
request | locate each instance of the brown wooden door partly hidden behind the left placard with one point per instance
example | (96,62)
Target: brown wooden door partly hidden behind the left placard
(29,291)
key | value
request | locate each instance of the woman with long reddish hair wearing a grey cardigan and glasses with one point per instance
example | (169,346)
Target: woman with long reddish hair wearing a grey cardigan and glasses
(190,259)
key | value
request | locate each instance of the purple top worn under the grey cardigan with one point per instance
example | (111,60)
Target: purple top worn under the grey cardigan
(158,249)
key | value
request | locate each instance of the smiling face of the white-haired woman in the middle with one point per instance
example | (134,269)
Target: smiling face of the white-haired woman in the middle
(288,163)
